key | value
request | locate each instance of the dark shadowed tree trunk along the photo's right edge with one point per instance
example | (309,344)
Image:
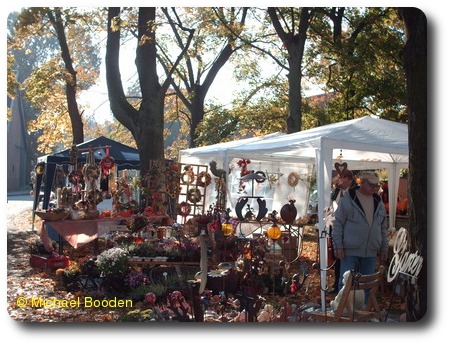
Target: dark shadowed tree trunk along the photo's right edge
(415,63)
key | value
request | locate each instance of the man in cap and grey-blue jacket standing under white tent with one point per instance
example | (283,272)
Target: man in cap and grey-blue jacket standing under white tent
(359,228)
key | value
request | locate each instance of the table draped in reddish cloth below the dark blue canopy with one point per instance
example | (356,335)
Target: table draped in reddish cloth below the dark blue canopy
(80,232)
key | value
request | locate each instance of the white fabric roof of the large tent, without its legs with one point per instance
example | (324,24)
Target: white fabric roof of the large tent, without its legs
(365,142)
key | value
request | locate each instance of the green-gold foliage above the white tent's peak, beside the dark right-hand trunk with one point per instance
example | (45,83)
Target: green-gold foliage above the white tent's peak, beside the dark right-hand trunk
(359,58)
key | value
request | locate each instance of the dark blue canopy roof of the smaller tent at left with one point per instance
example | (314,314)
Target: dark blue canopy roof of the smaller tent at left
(125,157)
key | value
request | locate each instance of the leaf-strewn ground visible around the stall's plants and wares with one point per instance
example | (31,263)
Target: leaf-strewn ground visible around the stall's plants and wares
(28,282)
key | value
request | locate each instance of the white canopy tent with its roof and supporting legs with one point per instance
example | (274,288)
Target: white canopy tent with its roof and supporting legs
(363,143)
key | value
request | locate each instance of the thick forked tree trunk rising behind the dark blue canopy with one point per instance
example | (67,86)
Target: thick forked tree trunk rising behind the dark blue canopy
(147,123)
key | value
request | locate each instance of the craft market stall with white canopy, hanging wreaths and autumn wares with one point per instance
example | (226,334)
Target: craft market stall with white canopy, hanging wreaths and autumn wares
(234,207)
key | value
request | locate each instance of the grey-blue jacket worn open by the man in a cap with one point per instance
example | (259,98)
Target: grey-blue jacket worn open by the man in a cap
(351,230)
